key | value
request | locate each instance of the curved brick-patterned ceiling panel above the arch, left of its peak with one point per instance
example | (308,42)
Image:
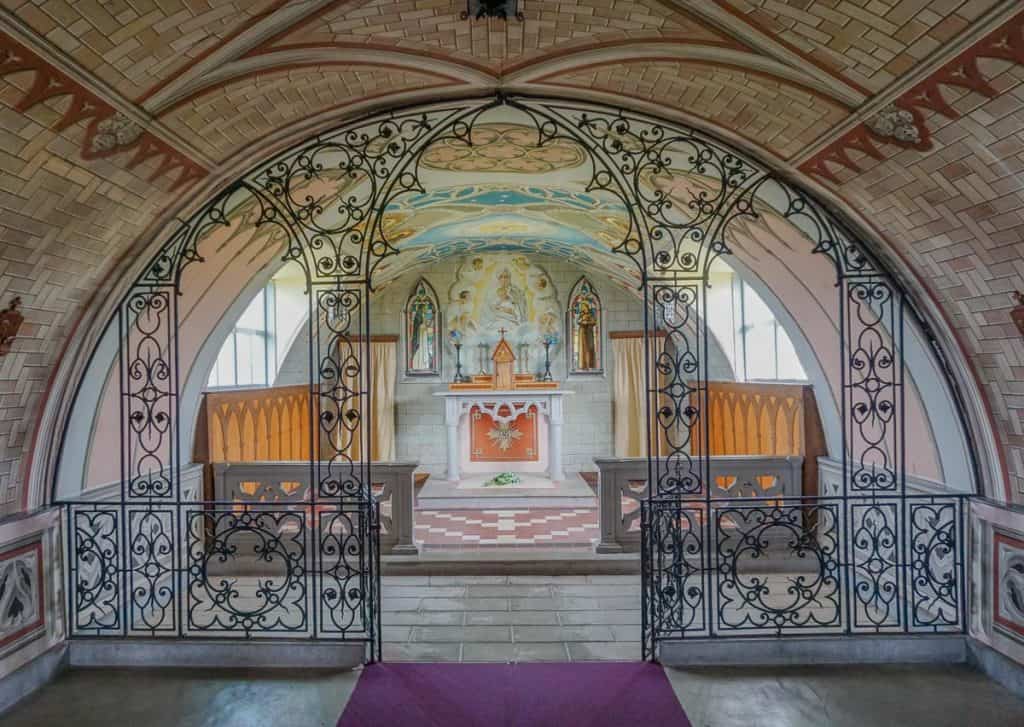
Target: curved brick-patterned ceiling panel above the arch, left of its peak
(226,119)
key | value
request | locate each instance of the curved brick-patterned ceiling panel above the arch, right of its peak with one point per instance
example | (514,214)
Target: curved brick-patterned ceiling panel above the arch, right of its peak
(775,115)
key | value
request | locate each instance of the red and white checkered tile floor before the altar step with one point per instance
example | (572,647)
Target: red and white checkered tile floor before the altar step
(522,527)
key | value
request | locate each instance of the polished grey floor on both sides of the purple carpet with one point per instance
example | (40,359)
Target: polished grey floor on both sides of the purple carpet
(835,697)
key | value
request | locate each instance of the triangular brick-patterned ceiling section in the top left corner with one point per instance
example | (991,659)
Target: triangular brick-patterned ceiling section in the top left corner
(135,46)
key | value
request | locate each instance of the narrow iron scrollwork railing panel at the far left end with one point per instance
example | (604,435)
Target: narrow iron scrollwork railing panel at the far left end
(96,591)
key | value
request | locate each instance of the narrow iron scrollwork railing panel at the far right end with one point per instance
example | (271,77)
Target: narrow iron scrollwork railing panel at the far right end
(936,563)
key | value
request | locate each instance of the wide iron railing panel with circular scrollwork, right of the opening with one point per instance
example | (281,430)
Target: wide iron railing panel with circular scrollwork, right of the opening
(807,596)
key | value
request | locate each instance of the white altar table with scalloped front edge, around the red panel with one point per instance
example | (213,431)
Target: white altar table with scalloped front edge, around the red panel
(547,402)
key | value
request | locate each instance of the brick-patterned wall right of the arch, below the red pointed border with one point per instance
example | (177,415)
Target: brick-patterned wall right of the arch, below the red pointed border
(957,215)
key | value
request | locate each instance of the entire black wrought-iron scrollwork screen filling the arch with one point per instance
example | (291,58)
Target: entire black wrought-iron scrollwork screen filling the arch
(157,562)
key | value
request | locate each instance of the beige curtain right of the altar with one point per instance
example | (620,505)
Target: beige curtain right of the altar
(628,404)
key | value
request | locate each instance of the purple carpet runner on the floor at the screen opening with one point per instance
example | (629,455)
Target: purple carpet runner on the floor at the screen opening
(594,695)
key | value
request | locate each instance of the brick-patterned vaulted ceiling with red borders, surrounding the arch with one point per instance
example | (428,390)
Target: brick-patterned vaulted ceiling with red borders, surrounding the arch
(117,117)
